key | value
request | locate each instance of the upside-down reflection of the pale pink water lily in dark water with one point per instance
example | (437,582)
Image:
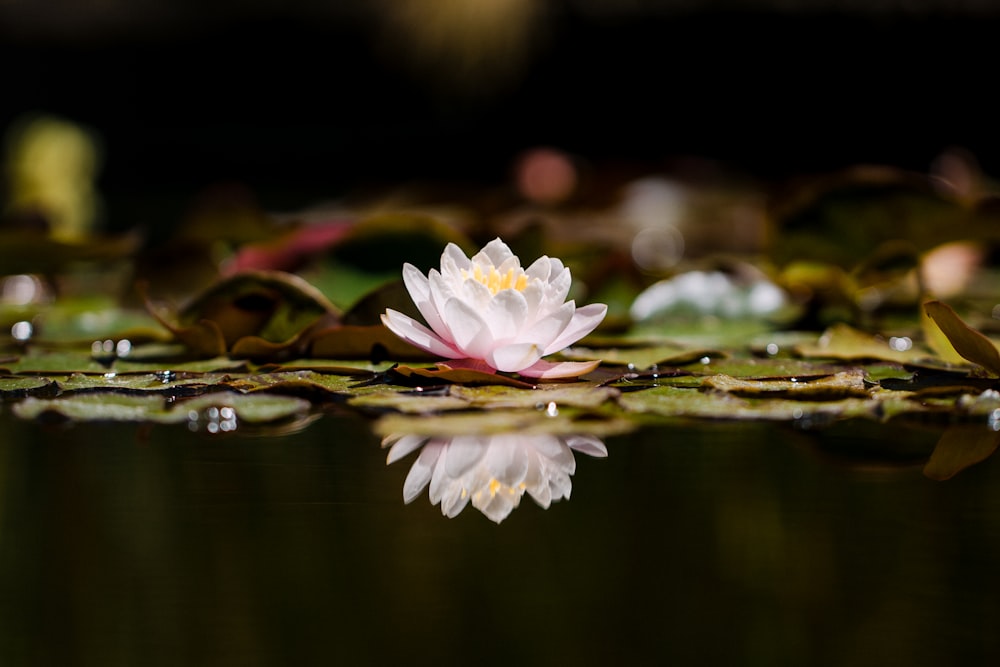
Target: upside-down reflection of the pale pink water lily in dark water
(493,471)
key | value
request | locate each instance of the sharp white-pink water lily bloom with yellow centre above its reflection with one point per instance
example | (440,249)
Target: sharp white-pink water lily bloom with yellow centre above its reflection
(488,309)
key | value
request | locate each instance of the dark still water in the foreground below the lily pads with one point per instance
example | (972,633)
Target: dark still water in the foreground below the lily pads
(697,544)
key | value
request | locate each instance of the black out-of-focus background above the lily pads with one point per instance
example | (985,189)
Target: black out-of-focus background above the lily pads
(302,100)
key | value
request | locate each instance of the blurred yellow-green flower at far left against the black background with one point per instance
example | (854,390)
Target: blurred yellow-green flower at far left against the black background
(50,166)
